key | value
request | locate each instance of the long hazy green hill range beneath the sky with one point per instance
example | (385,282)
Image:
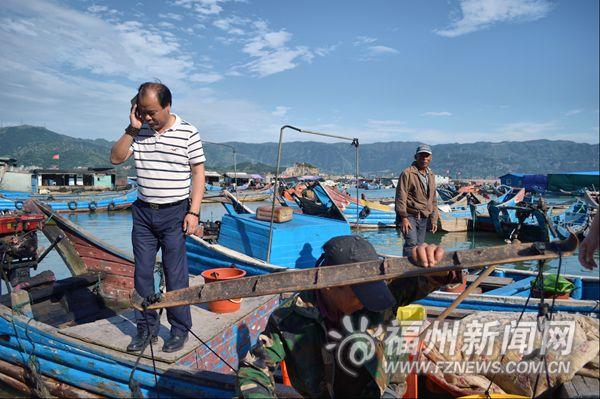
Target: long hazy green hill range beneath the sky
(33,145)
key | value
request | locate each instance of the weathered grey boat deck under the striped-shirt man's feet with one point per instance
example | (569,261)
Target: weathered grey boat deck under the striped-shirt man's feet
(116,332)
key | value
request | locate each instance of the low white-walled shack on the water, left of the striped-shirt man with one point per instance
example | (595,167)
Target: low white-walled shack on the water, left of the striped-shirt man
(85,178)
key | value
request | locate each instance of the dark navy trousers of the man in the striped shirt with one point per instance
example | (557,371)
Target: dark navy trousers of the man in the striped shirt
(154,229)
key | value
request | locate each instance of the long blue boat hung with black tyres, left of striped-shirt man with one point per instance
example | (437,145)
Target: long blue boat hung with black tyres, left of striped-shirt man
(102,201)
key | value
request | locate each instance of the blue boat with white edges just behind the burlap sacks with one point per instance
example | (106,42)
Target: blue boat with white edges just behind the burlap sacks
(508,289)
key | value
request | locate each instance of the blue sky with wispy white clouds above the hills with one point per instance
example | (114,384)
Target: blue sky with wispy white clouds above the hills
(431,71)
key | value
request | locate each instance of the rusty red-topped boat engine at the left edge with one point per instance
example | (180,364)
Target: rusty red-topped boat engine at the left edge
(18,245)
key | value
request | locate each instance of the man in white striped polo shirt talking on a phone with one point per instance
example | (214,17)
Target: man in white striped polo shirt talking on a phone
(168,158)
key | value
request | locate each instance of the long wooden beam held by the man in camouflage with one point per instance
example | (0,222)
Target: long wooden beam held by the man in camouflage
(355,273)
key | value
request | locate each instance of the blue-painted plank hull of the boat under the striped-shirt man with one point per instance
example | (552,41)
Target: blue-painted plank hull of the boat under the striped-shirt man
(101,371)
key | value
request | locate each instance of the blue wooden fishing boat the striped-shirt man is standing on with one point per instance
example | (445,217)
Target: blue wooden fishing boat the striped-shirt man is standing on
(67,338)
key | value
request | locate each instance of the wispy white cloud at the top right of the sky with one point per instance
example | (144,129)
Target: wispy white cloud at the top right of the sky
(481,14)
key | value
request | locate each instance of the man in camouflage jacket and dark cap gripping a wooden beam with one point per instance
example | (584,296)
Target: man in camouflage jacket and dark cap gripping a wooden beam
(298,331)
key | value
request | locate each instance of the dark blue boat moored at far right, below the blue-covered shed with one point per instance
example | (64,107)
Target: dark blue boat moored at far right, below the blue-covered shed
(534,223)
